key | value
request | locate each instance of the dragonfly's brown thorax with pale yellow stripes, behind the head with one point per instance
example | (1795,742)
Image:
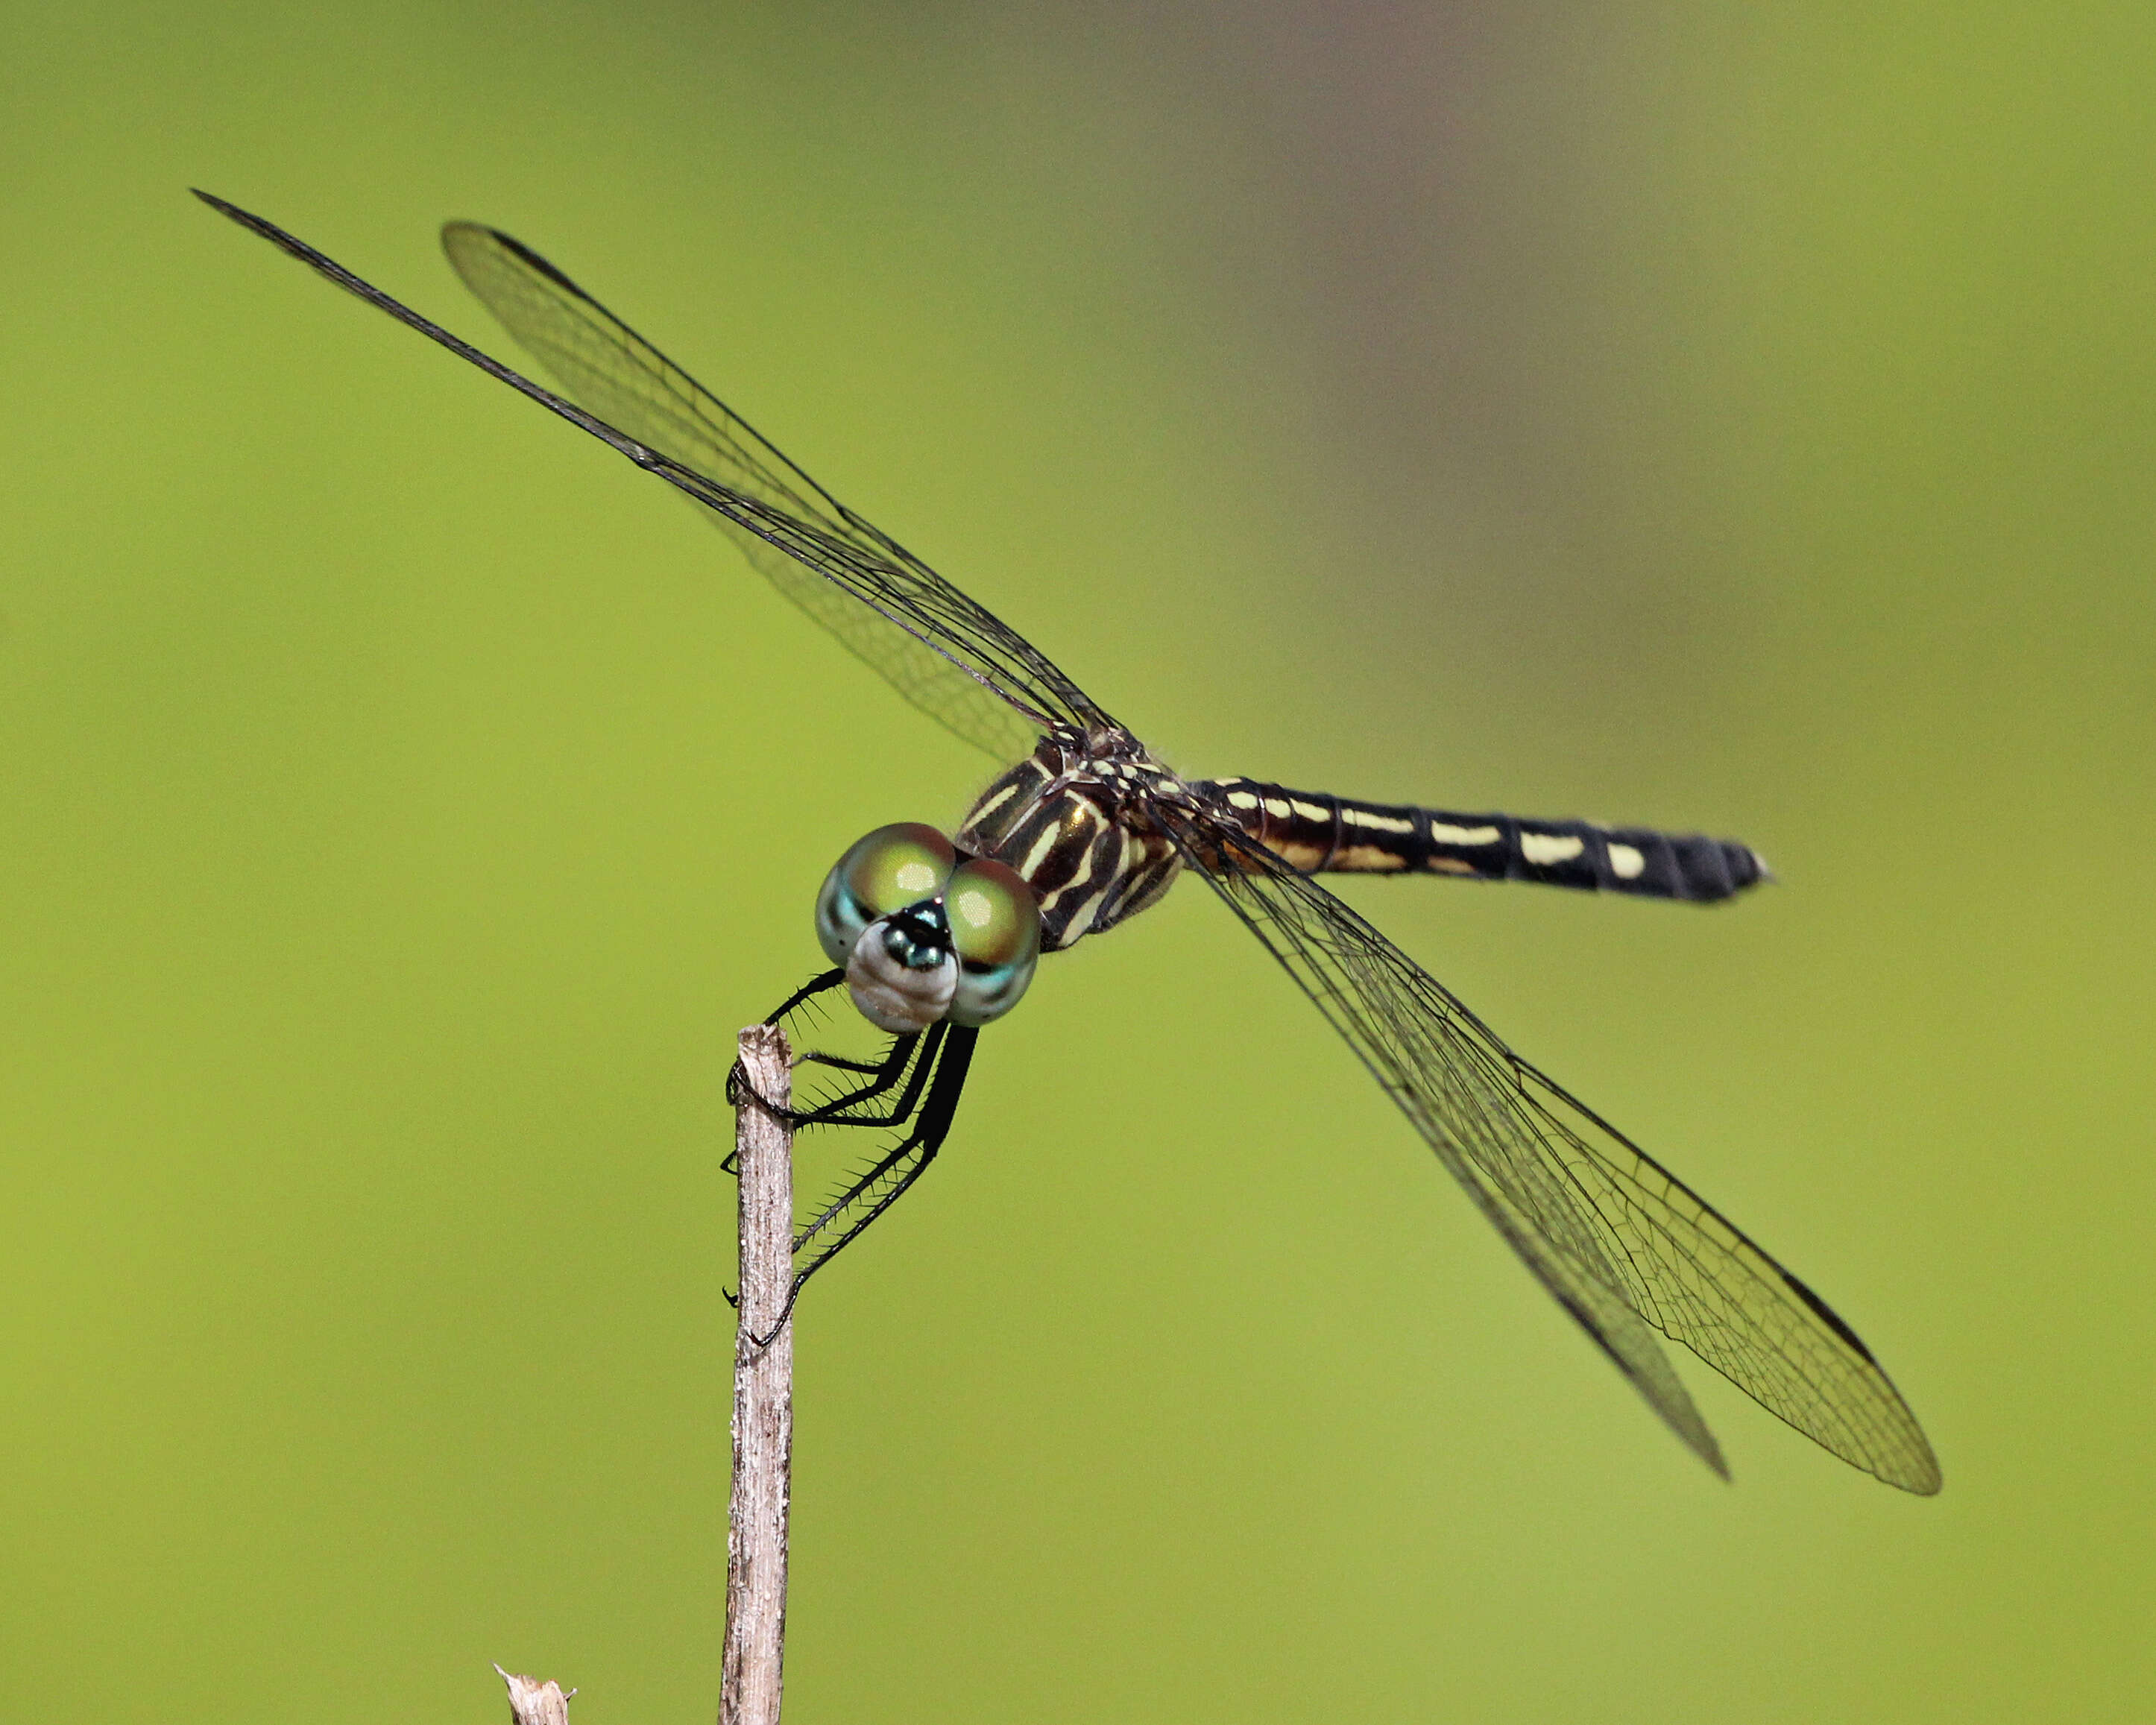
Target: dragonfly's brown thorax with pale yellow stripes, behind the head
(1073,823)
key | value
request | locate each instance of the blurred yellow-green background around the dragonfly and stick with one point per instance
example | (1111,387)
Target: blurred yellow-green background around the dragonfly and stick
(1614,411)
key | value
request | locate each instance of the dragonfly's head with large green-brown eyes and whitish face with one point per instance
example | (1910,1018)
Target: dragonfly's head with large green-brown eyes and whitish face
(928,933)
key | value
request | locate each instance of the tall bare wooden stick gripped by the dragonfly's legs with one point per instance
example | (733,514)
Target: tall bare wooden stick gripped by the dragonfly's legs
(762,1392)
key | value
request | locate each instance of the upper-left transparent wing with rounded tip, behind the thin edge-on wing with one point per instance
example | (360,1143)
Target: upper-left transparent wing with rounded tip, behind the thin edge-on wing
(844,572)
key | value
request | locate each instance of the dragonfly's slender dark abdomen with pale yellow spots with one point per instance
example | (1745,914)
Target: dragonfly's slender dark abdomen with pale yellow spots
(1323,833)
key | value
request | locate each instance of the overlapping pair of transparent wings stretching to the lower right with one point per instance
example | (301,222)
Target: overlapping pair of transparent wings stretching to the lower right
(1620,1241)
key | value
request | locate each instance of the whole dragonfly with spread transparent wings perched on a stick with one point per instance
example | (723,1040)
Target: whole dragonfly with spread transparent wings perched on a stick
(935,937)
